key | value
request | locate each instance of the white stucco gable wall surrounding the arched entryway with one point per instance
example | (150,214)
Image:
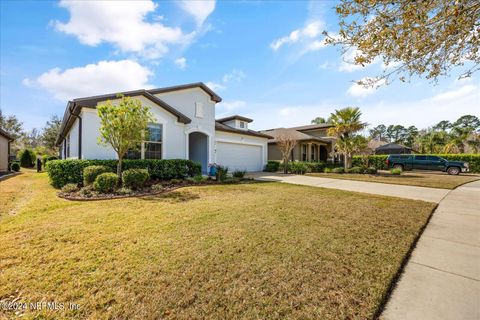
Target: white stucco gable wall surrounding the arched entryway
(185,101)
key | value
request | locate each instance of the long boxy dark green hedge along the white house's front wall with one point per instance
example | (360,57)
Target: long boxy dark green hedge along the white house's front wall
(62,172)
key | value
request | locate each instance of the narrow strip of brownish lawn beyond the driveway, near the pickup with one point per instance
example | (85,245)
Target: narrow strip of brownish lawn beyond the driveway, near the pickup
(432,180)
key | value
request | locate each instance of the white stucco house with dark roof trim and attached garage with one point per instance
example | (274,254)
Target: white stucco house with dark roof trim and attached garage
(184,128)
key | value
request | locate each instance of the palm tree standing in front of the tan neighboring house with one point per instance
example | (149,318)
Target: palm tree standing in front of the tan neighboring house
(346,122)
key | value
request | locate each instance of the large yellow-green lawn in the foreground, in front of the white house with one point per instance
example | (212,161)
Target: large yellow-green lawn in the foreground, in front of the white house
(253,251)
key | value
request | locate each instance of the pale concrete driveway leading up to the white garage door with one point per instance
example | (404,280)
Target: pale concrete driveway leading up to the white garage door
(394,190)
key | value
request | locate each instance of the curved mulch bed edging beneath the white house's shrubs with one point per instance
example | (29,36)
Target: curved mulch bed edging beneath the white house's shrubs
(147,191)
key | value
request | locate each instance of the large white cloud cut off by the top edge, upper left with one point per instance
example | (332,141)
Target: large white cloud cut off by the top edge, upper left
(123,24)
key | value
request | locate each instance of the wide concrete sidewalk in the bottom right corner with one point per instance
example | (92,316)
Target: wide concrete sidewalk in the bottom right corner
(442,277)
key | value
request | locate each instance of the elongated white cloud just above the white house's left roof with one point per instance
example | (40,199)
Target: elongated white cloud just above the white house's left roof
(92,79)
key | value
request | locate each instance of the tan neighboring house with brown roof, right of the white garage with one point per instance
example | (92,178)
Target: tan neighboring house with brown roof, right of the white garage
(313,143)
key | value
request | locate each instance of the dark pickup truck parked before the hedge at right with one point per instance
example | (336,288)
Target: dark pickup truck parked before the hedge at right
(425,162)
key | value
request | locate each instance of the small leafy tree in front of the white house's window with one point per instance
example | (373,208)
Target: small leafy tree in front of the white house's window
(123,126)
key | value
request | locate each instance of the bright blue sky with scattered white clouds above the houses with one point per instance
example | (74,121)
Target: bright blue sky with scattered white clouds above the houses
(265,59)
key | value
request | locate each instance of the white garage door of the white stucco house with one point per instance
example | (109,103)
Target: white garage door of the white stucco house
(239,156)
